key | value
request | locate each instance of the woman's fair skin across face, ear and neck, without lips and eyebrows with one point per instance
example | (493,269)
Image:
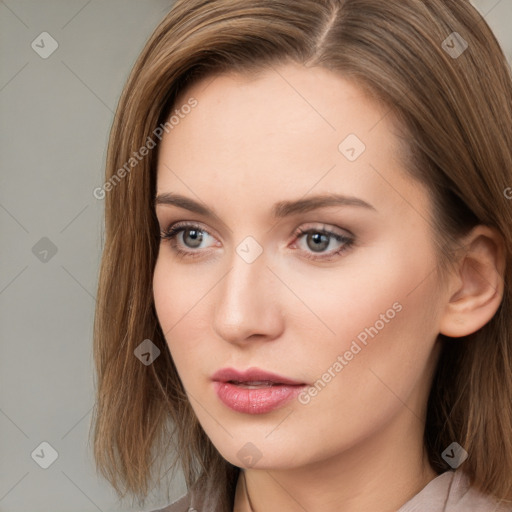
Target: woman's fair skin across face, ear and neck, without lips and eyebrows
(253,141)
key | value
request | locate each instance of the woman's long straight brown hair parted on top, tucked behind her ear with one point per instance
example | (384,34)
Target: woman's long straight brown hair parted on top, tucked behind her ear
(456,114)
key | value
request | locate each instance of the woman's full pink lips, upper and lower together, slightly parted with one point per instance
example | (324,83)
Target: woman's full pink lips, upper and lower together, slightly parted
(254,391)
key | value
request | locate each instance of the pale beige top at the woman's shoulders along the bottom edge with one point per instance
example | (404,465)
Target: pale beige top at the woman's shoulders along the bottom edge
(448,492)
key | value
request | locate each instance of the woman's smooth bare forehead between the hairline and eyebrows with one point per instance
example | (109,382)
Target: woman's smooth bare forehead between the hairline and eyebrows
(288,128)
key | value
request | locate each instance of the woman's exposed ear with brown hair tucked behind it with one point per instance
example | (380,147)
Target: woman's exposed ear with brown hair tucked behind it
(476,285)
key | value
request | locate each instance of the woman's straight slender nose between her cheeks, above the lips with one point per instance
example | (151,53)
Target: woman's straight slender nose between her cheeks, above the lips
(243,304)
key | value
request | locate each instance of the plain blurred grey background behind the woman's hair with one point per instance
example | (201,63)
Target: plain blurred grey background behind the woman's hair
(55,119)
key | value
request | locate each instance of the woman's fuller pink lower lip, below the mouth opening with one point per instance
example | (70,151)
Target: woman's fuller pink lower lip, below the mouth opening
(255,400)
